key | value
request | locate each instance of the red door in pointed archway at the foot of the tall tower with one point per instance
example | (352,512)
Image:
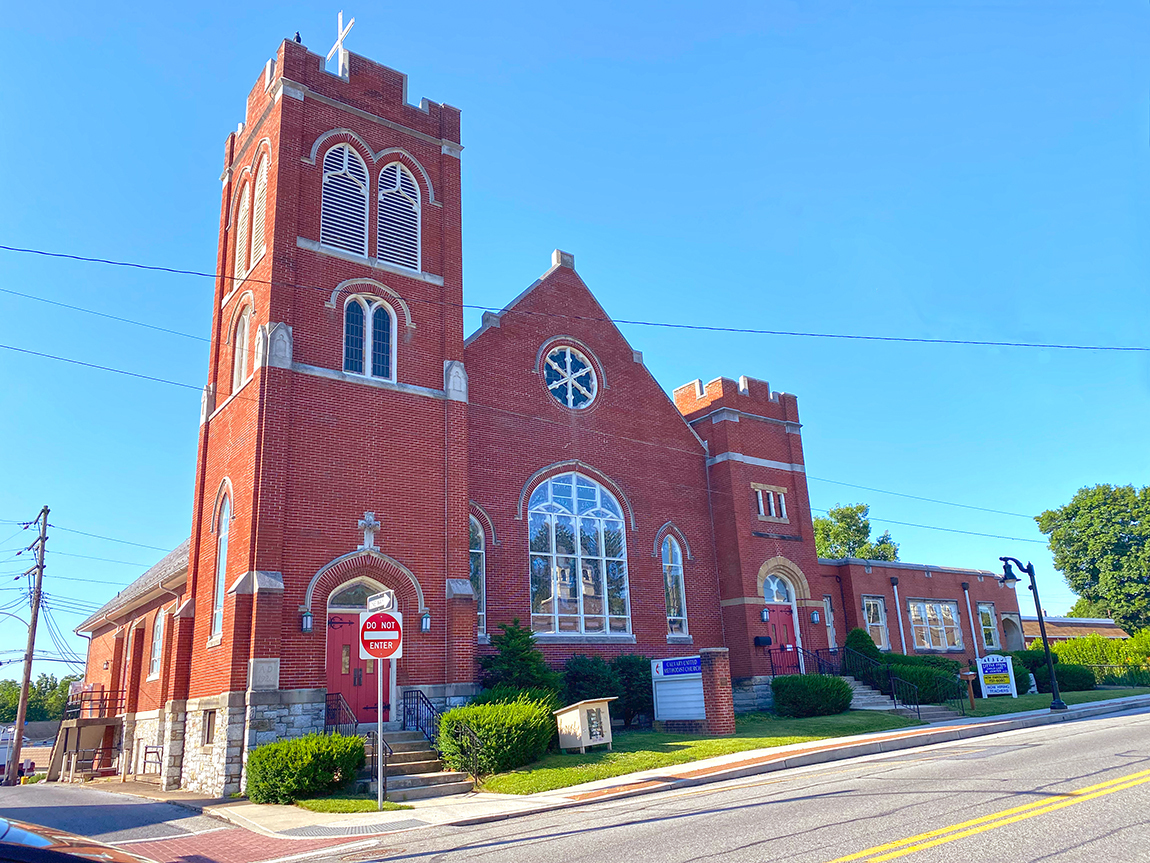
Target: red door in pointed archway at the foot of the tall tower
(358,681)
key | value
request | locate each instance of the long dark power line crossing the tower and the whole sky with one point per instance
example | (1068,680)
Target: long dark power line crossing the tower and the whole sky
(708,329)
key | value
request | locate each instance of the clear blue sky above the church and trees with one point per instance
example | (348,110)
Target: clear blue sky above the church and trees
(969,171)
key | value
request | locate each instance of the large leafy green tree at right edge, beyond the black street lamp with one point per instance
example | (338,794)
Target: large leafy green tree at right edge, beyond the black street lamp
(1101,543)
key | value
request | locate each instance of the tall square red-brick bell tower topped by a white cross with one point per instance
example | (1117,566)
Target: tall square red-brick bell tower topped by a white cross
(336,388)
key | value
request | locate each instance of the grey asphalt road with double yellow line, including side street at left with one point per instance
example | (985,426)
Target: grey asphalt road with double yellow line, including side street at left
(1074,792)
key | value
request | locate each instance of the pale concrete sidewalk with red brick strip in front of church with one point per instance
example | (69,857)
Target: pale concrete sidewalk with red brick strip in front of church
(286,822)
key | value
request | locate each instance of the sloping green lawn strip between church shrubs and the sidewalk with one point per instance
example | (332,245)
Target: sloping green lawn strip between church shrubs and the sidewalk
(647,750)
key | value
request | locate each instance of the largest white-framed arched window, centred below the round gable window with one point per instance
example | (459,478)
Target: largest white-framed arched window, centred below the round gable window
(578,559)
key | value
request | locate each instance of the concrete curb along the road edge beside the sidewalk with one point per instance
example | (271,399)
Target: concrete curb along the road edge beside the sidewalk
(944,735)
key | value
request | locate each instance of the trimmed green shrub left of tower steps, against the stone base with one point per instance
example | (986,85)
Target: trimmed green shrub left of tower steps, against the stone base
(285,772)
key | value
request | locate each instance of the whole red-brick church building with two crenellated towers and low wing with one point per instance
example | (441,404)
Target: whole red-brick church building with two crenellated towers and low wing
(354,441)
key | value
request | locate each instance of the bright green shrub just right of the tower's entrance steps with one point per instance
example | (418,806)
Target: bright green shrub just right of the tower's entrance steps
(513,735)
